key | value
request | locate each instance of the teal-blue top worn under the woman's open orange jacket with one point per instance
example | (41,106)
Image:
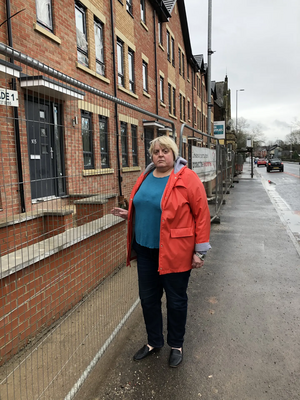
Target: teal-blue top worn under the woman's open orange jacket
(147,202)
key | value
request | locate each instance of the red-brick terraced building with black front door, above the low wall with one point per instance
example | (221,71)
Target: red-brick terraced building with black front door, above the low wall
(137,51)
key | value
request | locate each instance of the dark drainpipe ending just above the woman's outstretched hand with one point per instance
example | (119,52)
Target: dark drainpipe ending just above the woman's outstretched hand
(115,95)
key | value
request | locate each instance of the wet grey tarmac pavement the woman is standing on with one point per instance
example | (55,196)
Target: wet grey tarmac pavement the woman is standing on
(243,328)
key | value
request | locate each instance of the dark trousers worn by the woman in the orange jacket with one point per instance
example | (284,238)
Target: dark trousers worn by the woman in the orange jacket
(151,287)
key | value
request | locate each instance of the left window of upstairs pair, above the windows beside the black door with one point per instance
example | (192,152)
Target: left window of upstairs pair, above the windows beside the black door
(82,45)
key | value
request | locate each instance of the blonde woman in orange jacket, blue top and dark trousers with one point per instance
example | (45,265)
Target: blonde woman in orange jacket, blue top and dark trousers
(168,233)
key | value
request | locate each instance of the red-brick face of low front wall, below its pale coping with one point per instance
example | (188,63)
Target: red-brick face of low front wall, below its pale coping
(36,296)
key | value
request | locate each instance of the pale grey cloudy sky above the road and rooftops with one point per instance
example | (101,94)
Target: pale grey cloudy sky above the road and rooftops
(257,44)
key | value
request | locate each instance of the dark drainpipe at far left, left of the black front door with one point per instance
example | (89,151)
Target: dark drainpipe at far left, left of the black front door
(16,117)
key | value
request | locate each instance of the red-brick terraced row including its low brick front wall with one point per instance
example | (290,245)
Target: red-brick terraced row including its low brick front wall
(85,86)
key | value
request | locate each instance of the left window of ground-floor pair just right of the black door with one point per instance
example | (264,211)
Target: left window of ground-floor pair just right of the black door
(87,140)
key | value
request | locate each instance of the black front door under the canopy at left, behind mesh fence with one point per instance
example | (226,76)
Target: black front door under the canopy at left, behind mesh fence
(45,149)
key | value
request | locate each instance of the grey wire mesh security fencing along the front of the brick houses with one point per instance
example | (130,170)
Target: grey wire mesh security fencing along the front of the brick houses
(69,153)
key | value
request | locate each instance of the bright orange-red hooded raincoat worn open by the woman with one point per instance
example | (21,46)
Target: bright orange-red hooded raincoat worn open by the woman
(185,221)
